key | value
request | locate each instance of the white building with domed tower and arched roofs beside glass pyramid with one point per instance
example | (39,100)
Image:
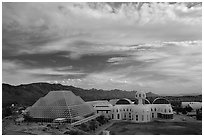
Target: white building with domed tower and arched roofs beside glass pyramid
(139,111)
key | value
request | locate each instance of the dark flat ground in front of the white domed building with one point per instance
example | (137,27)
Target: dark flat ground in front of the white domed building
(170,127)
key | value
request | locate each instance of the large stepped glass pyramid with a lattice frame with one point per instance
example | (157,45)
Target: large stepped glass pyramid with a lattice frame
(60,104)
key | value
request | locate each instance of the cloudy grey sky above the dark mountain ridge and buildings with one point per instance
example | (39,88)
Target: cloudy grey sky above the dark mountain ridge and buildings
(153,47)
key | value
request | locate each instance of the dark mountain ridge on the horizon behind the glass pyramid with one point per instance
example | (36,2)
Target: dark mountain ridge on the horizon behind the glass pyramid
(29,93)
